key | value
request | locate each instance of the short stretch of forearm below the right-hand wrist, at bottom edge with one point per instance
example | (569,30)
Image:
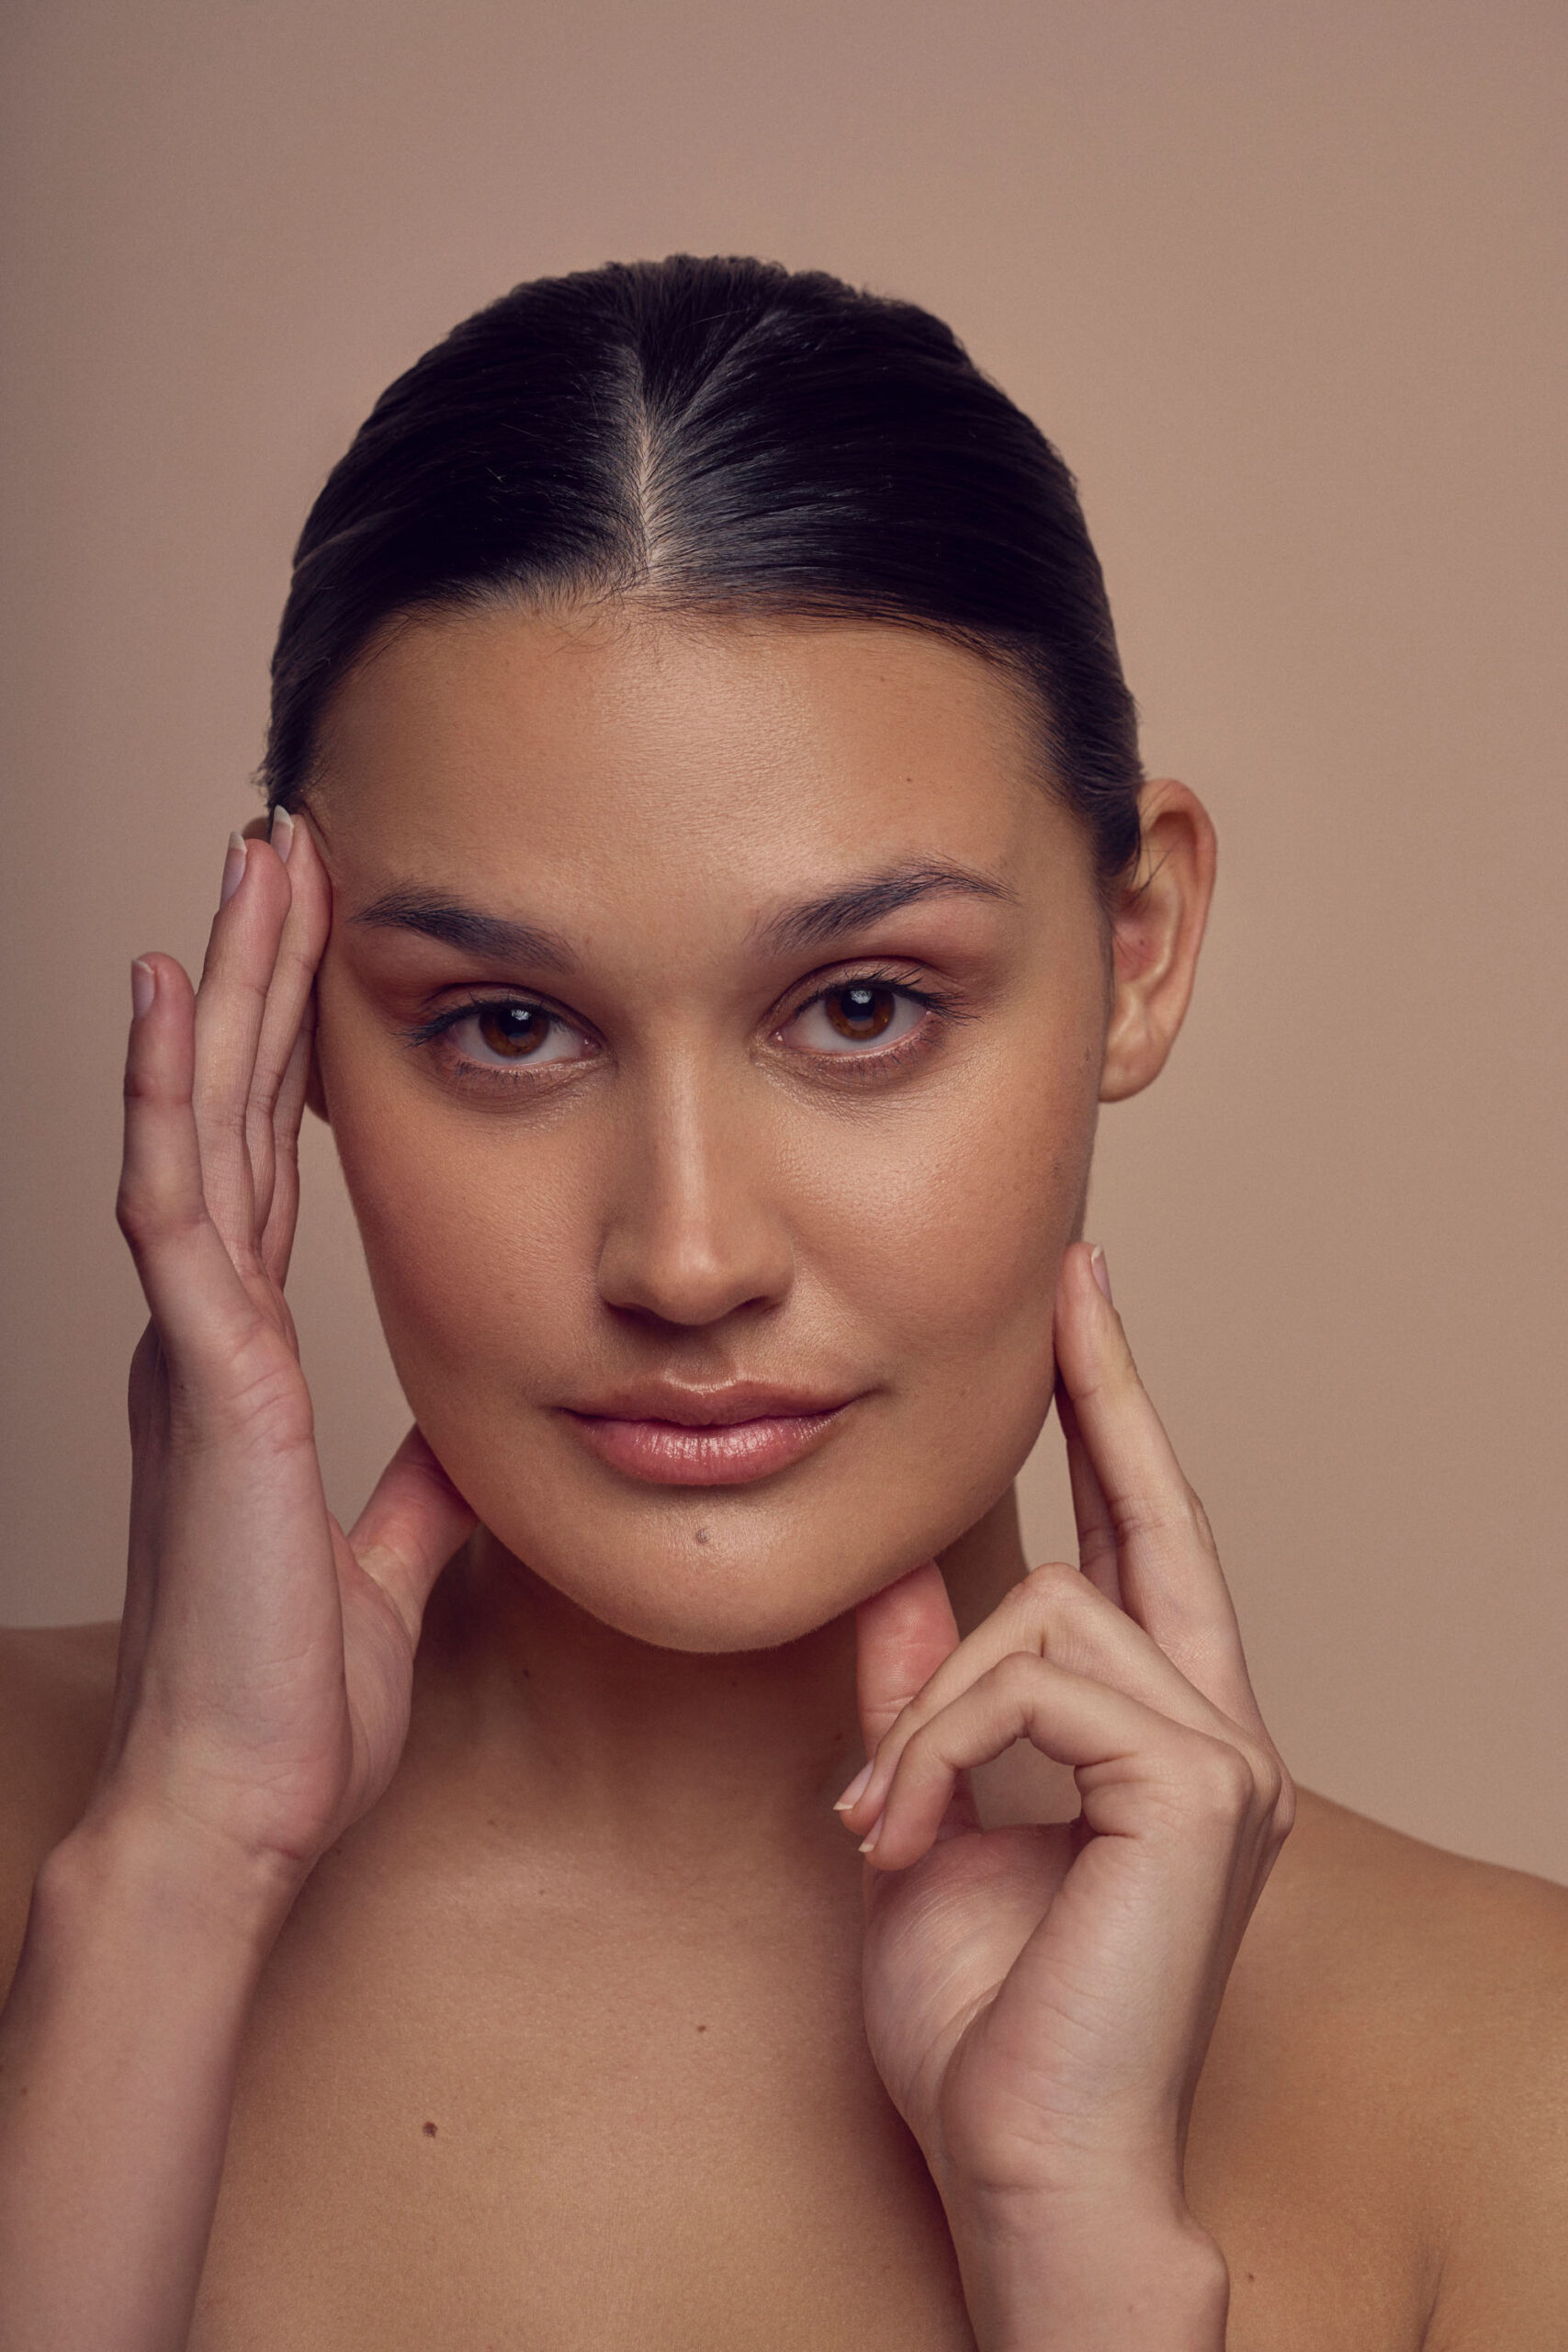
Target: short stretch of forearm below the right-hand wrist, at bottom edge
(1078,2283)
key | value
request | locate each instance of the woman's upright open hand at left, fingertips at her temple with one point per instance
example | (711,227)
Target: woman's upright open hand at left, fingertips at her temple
(267,1657)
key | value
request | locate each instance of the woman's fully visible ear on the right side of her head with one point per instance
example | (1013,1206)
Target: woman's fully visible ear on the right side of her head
(1158,930)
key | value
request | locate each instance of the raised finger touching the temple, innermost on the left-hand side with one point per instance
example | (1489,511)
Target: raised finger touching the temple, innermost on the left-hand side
(274,1109)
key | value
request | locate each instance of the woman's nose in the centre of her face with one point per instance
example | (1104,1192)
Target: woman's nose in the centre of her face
(695,1224)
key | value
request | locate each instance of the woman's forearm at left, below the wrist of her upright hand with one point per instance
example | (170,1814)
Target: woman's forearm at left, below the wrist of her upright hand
(119,2054)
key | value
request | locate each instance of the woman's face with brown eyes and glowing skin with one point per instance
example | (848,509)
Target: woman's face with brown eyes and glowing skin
(711,1027)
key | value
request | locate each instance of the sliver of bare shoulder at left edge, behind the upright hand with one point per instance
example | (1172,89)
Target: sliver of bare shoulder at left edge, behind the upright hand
(55,1697)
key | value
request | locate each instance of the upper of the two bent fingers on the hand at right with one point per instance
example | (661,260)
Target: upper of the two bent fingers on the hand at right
(1052,1615)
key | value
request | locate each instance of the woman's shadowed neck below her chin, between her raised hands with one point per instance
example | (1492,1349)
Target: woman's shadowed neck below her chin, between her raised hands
(542,1704)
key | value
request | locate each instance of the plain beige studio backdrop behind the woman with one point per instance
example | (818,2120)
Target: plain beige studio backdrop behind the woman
(1287,286)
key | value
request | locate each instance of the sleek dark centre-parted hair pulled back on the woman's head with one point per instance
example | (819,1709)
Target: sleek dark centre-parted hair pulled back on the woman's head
(716,434)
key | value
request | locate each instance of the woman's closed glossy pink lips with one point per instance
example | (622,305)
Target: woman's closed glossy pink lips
(706,1436)
